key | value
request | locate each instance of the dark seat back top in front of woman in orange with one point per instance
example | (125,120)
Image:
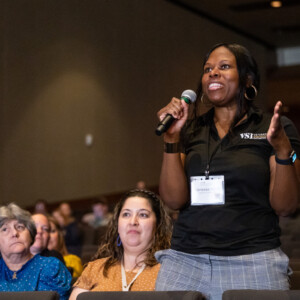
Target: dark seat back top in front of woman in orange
(168,295)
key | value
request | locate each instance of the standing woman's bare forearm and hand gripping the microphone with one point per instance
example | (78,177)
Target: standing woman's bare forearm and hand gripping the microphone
(173,186)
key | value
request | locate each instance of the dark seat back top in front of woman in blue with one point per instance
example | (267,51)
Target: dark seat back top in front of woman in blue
(34,295)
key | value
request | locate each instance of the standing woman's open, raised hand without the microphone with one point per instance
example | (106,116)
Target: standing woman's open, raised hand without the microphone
(276,135)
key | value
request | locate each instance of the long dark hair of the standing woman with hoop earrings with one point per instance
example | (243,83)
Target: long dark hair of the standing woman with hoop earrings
(247,69)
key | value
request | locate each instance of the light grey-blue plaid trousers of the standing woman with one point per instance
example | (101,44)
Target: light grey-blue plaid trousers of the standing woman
(212,275)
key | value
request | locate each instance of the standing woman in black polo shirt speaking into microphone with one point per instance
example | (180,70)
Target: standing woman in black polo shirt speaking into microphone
(236,174)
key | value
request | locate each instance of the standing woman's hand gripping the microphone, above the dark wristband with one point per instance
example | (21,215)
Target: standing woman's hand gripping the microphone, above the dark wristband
(179,110)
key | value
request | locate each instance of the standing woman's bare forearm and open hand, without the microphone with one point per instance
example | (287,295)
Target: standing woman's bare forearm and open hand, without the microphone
(285,179)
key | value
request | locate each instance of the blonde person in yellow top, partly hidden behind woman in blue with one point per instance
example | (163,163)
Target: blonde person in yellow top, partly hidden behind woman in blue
(57,242)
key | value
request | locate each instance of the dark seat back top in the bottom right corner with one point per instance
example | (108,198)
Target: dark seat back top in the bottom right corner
(261,295)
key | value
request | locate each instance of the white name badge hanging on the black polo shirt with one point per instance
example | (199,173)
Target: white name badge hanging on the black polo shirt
(207,191)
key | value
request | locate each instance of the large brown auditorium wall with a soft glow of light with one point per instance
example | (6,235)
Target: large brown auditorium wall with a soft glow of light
(96,66)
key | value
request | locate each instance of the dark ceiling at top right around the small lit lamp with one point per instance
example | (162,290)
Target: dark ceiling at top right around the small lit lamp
(255,19)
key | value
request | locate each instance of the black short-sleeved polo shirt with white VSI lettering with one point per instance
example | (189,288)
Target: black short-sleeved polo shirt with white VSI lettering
(246,223)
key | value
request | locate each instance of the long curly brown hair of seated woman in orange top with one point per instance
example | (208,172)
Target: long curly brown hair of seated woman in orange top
(161,236)
